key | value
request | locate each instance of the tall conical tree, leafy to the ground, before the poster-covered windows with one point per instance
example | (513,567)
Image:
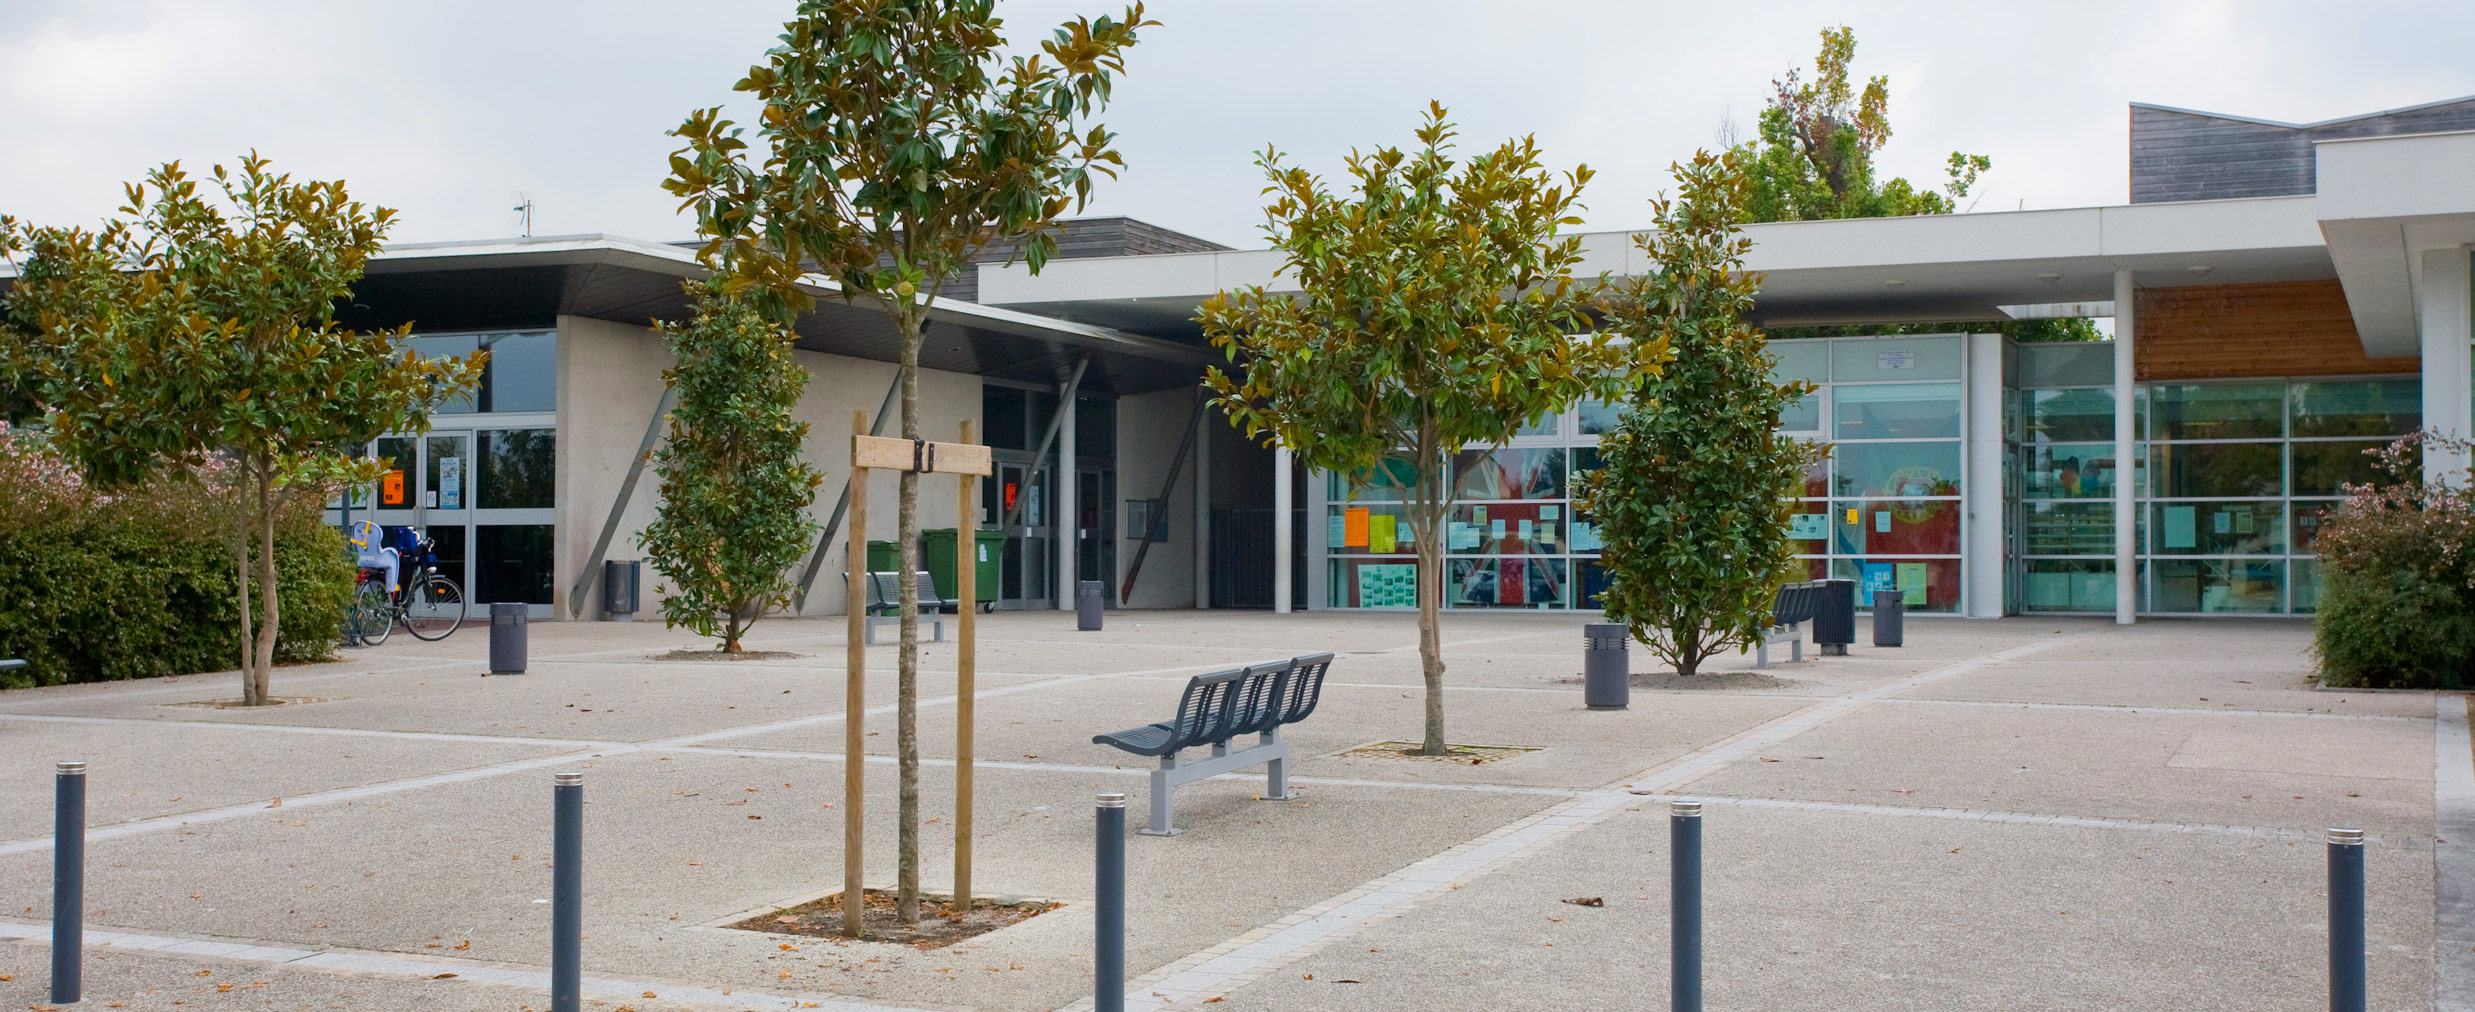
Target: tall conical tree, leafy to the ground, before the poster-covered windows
(1694,486)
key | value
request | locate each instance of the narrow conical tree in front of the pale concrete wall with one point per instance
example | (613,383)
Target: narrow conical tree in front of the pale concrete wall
(734,486)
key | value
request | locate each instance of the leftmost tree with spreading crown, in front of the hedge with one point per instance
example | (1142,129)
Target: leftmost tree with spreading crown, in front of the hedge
(184,338)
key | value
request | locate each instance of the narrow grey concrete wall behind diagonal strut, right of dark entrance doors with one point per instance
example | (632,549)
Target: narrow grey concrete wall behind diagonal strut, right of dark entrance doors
(1147,439)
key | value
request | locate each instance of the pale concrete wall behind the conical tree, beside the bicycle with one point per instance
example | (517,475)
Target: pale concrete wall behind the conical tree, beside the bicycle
(610,382)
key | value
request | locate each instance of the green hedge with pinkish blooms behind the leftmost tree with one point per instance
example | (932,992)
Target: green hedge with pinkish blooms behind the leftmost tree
(140,585)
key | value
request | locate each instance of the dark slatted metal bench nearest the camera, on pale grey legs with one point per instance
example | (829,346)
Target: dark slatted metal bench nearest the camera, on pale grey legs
(1214,711)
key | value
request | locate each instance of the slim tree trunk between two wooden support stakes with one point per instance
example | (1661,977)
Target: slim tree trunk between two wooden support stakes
(907,692)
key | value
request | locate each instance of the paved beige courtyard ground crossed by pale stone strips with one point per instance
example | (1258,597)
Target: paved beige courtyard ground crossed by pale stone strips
(2021,813)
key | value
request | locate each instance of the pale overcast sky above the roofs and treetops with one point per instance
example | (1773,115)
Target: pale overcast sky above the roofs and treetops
(452,110)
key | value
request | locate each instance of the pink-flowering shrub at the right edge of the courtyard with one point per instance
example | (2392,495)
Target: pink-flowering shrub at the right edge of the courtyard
(2397,598)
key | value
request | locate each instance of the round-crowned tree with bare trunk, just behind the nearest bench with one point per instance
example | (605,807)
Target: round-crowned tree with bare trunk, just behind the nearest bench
(1434,311)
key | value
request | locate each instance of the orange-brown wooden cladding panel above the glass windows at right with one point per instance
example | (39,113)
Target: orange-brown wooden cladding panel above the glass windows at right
(2251,330)
